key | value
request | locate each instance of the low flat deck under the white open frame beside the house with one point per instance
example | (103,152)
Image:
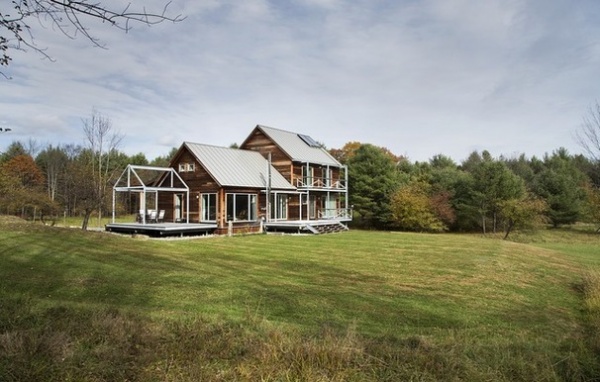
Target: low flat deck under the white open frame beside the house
(162,229)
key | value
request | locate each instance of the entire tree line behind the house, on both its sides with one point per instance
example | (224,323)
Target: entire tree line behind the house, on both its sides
(482,193)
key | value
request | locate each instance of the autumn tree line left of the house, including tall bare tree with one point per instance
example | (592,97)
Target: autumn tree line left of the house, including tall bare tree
(66,180)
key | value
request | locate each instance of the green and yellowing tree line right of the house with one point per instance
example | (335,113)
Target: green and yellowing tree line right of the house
(481,194)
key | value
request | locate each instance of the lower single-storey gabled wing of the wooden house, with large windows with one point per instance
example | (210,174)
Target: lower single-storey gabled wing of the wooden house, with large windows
(227,186)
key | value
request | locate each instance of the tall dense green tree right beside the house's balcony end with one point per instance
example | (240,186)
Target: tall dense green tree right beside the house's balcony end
(373,178)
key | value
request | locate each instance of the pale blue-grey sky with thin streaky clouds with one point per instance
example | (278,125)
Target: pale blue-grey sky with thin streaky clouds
(420,78)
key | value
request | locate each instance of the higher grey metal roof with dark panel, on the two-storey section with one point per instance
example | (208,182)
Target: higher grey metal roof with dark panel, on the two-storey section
(298,147)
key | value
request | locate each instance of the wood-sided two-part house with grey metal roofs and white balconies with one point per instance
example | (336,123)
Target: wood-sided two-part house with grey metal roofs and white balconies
(277,181)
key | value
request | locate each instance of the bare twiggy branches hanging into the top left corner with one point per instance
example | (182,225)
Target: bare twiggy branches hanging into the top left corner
(69,17)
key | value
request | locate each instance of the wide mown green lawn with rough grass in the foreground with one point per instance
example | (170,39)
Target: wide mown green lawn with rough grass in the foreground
(356,306)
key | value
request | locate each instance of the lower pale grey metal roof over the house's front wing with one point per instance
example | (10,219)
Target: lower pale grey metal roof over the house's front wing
(237,168)
